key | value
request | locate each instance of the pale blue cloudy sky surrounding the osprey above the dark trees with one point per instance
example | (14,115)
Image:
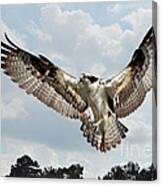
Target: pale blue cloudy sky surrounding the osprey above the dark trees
(97,38)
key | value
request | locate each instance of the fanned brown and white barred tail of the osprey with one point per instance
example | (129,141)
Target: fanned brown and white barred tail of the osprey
(105,135)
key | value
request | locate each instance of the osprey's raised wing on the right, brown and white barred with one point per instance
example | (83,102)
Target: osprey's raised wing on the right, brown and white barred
(128,89)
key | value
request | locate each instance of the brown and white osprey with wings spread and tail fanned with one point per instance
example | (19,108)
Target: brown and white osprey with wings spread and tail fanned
(96,102)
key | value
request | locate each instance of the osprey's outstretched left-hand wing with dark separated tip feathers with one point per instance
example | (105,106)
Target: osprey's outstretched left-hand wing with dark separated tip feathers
(41,78)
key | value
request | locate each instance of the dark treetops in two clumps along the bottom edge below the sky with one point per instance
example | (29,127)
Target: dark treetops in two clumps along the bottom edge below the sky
(26,167)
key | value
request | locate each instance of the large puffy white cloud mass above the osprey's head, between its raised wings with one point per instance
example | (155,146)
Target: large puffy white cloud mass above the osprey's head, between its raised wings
(76,38)
